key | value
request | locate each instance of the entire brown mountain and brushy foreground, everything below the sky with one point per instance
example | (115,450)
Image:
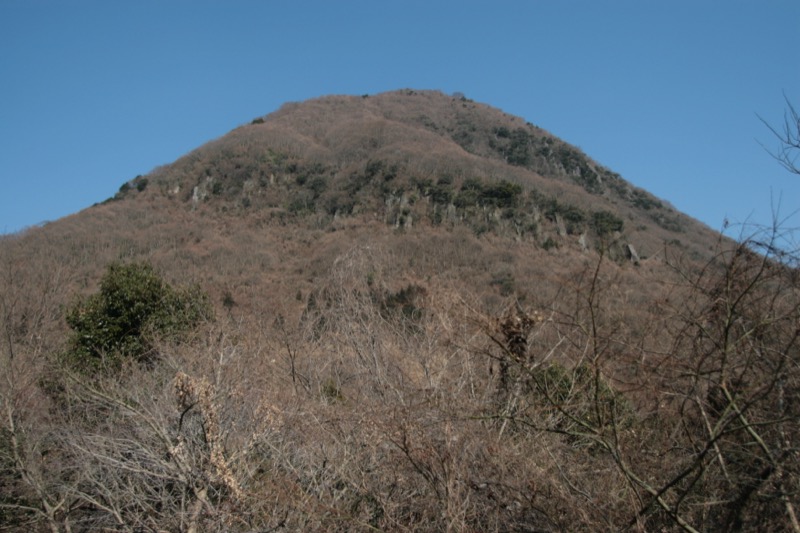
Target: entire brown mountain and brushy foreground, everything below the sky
(428,315)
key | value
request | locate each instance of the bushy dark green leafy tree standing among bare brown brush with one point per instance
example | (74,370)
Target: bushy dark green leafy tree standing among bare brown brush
(133,307)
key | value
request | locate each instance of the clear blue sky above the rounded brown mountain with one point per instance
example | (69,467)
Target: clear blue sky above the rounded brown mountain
(668,94)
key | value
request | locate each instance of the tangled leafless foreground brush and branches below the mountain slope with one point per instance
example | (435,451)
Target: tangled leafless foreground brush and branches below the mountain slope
(402,404)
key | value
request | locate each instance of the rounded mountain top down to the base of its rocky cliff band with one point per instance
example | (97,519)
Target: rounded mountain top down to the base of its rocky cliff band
(420,157)
